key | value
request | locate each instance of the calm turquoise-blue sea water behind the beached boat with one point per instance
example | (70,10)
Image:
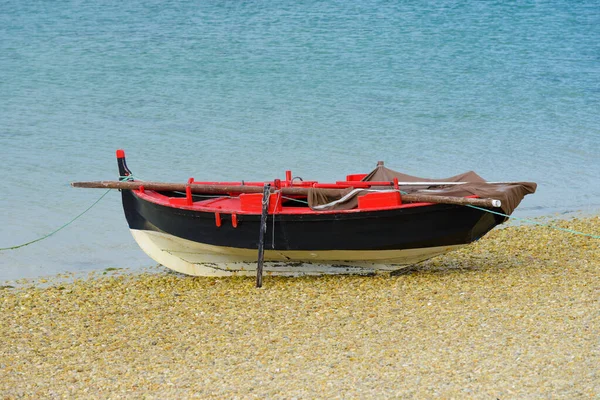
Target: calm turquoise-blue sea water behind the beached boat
(246,90)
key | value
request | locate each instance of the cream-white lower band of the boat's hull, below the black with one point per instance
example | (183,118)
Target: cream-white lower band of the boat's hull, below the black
(200,259)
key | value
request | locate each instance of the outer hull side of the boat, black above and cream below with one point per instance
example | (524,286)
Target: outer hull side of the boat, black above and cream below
(192,242)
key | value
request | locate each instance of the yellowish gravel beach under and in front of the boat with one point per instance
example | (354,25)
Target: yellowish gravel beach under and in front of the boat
(516,315)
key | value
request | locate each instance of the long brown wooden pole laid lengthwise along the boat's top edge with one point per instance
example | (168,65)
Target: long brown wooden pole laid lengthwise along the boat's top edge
(288,191)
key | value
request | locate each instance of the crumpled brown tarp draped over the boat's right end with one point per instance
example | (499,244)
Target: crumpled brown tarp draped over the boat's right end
(510,194)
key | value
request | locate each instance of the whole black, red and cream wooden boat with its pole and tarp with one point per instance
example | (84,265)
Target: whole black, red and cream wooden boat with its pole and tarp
(363,224)
